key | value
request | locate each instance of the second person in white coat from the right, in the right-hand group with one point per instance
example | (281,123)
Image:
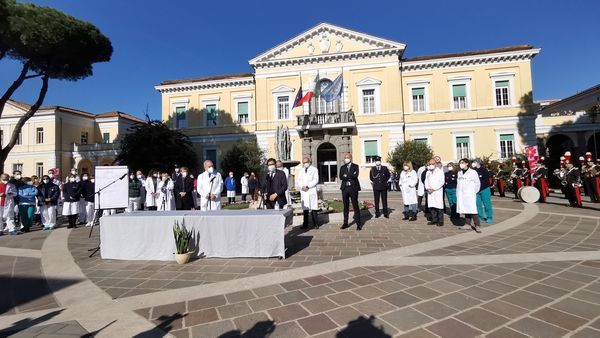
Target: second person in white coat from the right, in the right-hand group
(434,185)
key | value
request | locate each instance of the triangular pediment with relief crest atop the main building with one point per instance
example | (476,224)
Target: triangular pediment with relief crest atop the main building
(326,41)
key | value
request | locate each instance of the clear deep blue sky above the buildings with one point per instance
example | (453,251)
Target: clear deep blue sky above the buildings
(160,40)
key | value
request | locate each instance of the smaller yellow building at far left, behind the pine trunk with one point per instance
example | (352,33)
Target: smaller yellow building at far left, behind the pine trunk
(62,137)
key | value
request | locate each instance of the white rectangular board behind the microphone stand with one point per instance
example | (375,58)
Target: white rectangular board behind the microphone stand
(111,187)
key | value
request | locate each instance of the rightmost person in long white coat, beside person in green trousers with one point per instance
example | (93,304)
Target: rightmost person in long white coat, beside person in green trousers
(467,188)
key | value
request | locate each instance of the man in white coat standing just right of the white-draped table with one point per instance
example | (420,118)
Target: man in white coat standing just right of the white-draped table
(308,178)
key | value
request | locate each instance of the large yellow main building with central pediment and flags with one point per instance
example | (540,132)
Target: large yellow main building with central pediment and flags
(468,104)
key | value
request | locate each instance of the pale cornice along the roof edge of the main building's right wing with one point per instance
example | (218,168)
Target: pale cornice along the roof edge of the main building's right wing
(471,60)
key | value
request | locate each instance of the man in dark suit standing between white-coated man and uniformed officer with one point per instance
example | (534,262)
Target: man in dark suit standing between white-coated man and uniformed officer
(350,188)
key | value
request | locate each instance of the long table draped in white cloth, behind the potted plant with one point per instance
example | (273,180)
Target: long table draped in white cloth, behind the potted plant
(148,235)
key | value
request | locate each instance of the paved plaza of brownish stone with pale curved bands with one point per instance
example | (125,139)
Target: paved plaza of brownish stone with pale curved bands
(534,272)
